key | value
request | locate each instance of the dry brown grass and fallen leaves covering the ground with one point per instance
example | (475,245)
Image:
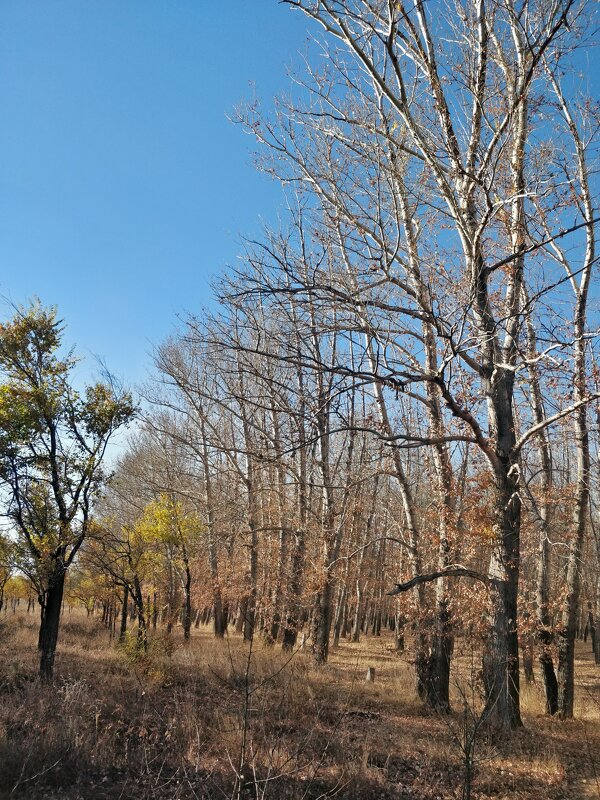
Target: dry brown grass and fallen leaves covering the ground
(178,724)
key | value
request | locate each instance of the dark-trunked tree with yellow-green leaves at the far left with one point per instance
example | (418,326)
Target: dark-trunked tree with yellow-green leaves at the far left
(53,442)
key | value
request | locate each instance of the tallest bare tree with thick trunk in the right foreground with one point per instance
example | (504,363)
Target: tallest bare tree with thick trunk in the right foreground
(417,145)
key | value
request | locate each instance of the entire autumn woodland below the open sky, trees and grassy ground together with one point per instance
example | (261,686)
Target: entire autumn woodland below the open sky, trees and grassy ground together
(344,541)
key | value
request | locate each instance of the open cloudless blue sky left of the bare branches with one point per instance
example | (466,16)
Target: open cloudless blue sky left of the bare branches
(123,186)
